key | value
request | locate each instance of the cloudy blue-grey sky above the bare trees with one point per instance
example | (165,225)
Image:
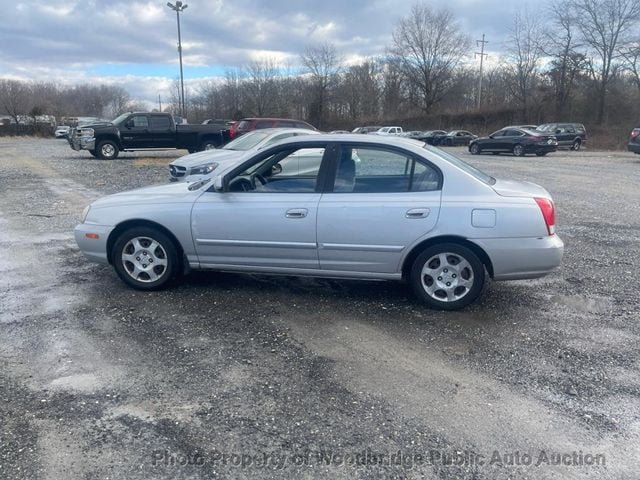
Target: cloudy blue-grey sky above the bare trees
(134,43)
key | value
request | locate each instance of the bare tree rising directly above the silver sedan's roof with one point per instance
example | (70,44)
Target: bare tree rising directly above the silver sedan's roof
(323,64)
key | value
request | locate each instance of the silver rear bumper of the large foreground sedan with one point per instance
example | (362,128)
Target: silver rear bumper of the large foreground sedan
(521,258)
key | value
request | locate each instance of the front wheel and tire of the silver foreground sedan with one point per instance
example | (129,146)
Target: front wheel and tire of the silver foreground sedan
(136,250)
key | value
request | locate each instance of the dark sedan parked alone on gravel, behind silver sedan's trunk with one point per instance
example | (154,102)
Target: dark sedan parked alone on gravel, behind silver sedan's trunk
(515,140)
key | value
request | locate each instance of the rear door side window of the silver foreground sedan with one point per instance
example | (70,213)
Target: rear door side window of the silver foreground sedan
(377,170)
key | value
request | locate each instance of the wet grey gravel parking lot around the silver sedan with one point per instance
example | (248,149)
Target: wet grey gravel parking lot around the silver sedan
(249,376)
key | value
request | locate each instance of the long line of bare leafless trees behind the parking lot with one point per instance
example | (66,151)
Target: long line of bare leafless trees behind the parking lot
(577,61)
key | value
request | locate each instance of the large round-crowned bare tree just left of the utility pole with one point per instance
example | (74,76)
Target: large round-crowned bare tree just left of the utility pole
(429,46)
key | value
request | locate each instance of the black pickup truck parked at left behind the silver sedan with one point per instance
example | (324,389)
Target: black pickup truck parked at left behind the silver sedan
(145,131)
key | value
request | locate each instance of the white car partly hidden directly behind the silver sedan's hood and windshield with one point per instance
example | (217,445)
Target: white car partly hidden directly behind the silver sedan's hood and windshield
(191,167)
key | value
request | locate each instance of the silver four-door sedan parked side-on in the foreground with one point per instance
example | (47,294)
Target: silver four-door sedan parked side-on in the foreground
(395,214)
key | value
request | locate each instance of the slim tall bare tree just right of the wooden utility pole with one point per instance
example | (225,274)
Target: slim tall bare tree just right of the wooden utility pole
(523,58)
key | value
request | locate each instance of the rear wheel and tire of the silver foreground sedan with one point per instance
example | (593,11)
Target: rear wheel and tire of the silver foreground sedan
(447,276)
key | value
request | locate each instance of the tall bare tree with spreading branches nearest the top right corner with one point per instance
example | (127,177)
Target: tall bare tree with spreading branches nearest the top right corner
(605,26)
